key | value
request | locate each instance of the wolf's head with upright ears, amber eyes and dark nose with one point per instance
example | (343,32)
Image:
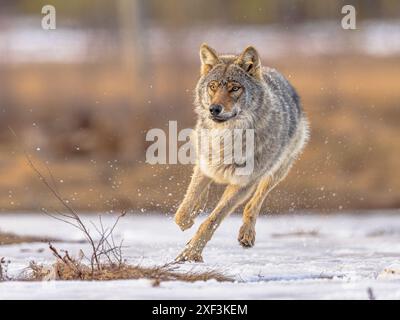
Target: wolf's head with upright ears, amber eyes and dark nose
(229,85)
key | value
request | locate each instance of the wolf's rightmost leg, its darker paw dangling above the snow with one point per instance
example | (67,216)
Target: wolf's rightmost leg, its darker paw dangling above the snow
(247,232)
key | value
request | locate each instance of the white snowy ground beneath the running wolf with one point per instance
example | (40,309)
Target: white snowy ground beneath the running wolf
(295,257)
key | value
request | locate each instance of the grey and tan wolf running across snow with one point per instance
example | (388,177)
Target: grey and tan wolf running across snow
(238,92)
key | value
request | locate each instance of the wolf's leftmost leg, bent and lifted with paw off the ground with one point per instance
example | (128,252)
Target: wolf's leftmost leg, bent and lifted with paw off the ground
(186,213)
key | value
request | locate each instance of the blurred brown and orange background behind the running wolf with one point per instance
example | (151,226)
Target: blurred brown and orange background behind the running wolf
(82,97)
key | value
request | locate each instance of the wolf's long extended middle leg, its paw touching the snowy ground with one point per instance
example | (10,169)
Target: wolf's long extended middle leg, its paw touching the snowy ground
(233,196)
